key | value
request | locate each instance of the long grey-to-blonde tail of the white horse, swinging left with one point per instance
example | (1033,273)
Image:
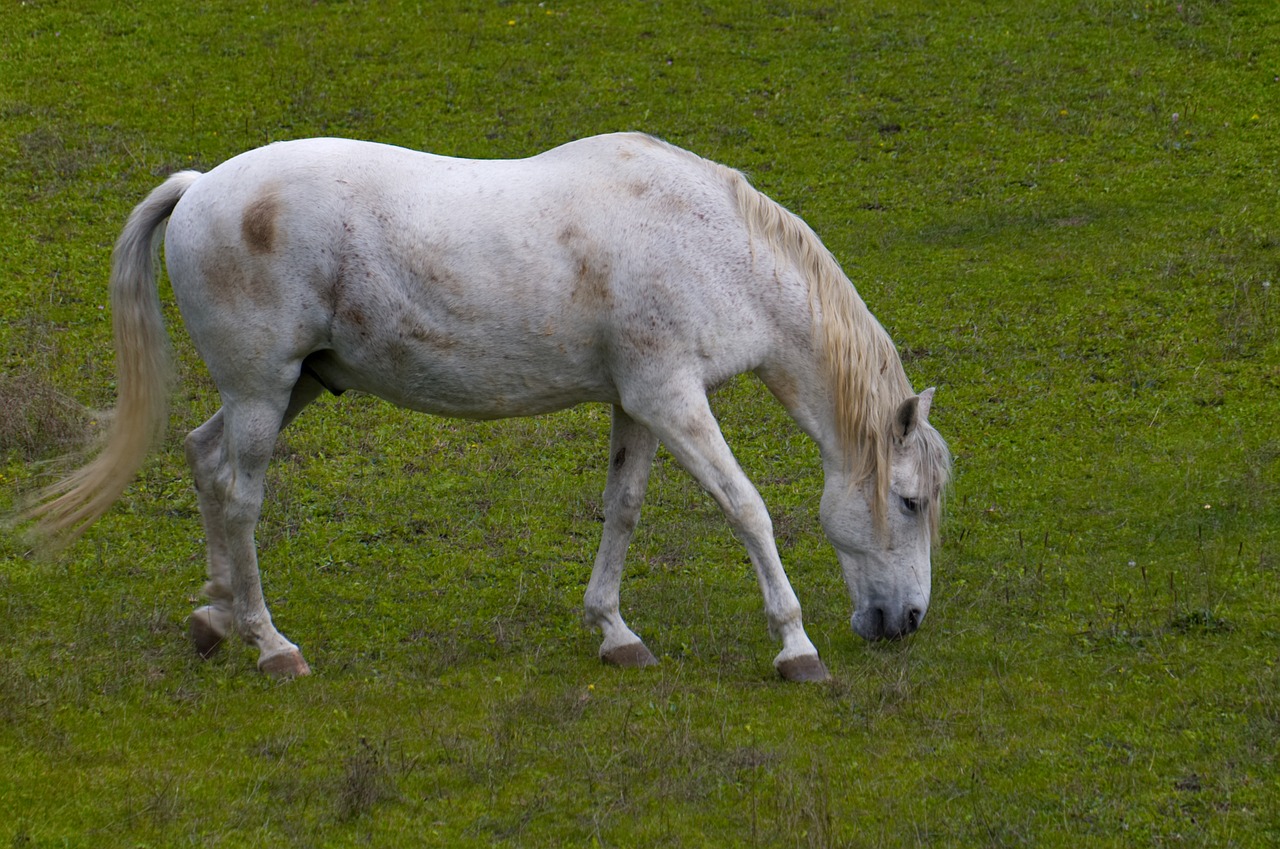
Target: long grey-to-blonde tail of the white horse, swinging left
(144,364)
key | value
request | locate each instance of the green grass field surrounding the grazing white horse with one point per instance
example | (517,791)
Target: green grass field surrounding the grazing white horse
(1067,217)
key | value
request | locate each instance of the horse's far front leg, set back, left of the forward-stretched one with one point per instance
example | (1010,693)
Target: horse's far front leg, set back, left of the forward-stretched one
(632,451)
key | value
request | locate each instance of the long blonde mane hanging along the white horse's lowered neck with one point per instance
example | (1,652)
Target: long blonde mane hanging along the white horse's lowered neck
(861,363)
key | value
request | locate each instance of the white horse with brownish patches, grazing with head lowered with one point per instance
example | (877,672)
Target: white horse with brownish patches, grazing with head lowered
(615,270)
